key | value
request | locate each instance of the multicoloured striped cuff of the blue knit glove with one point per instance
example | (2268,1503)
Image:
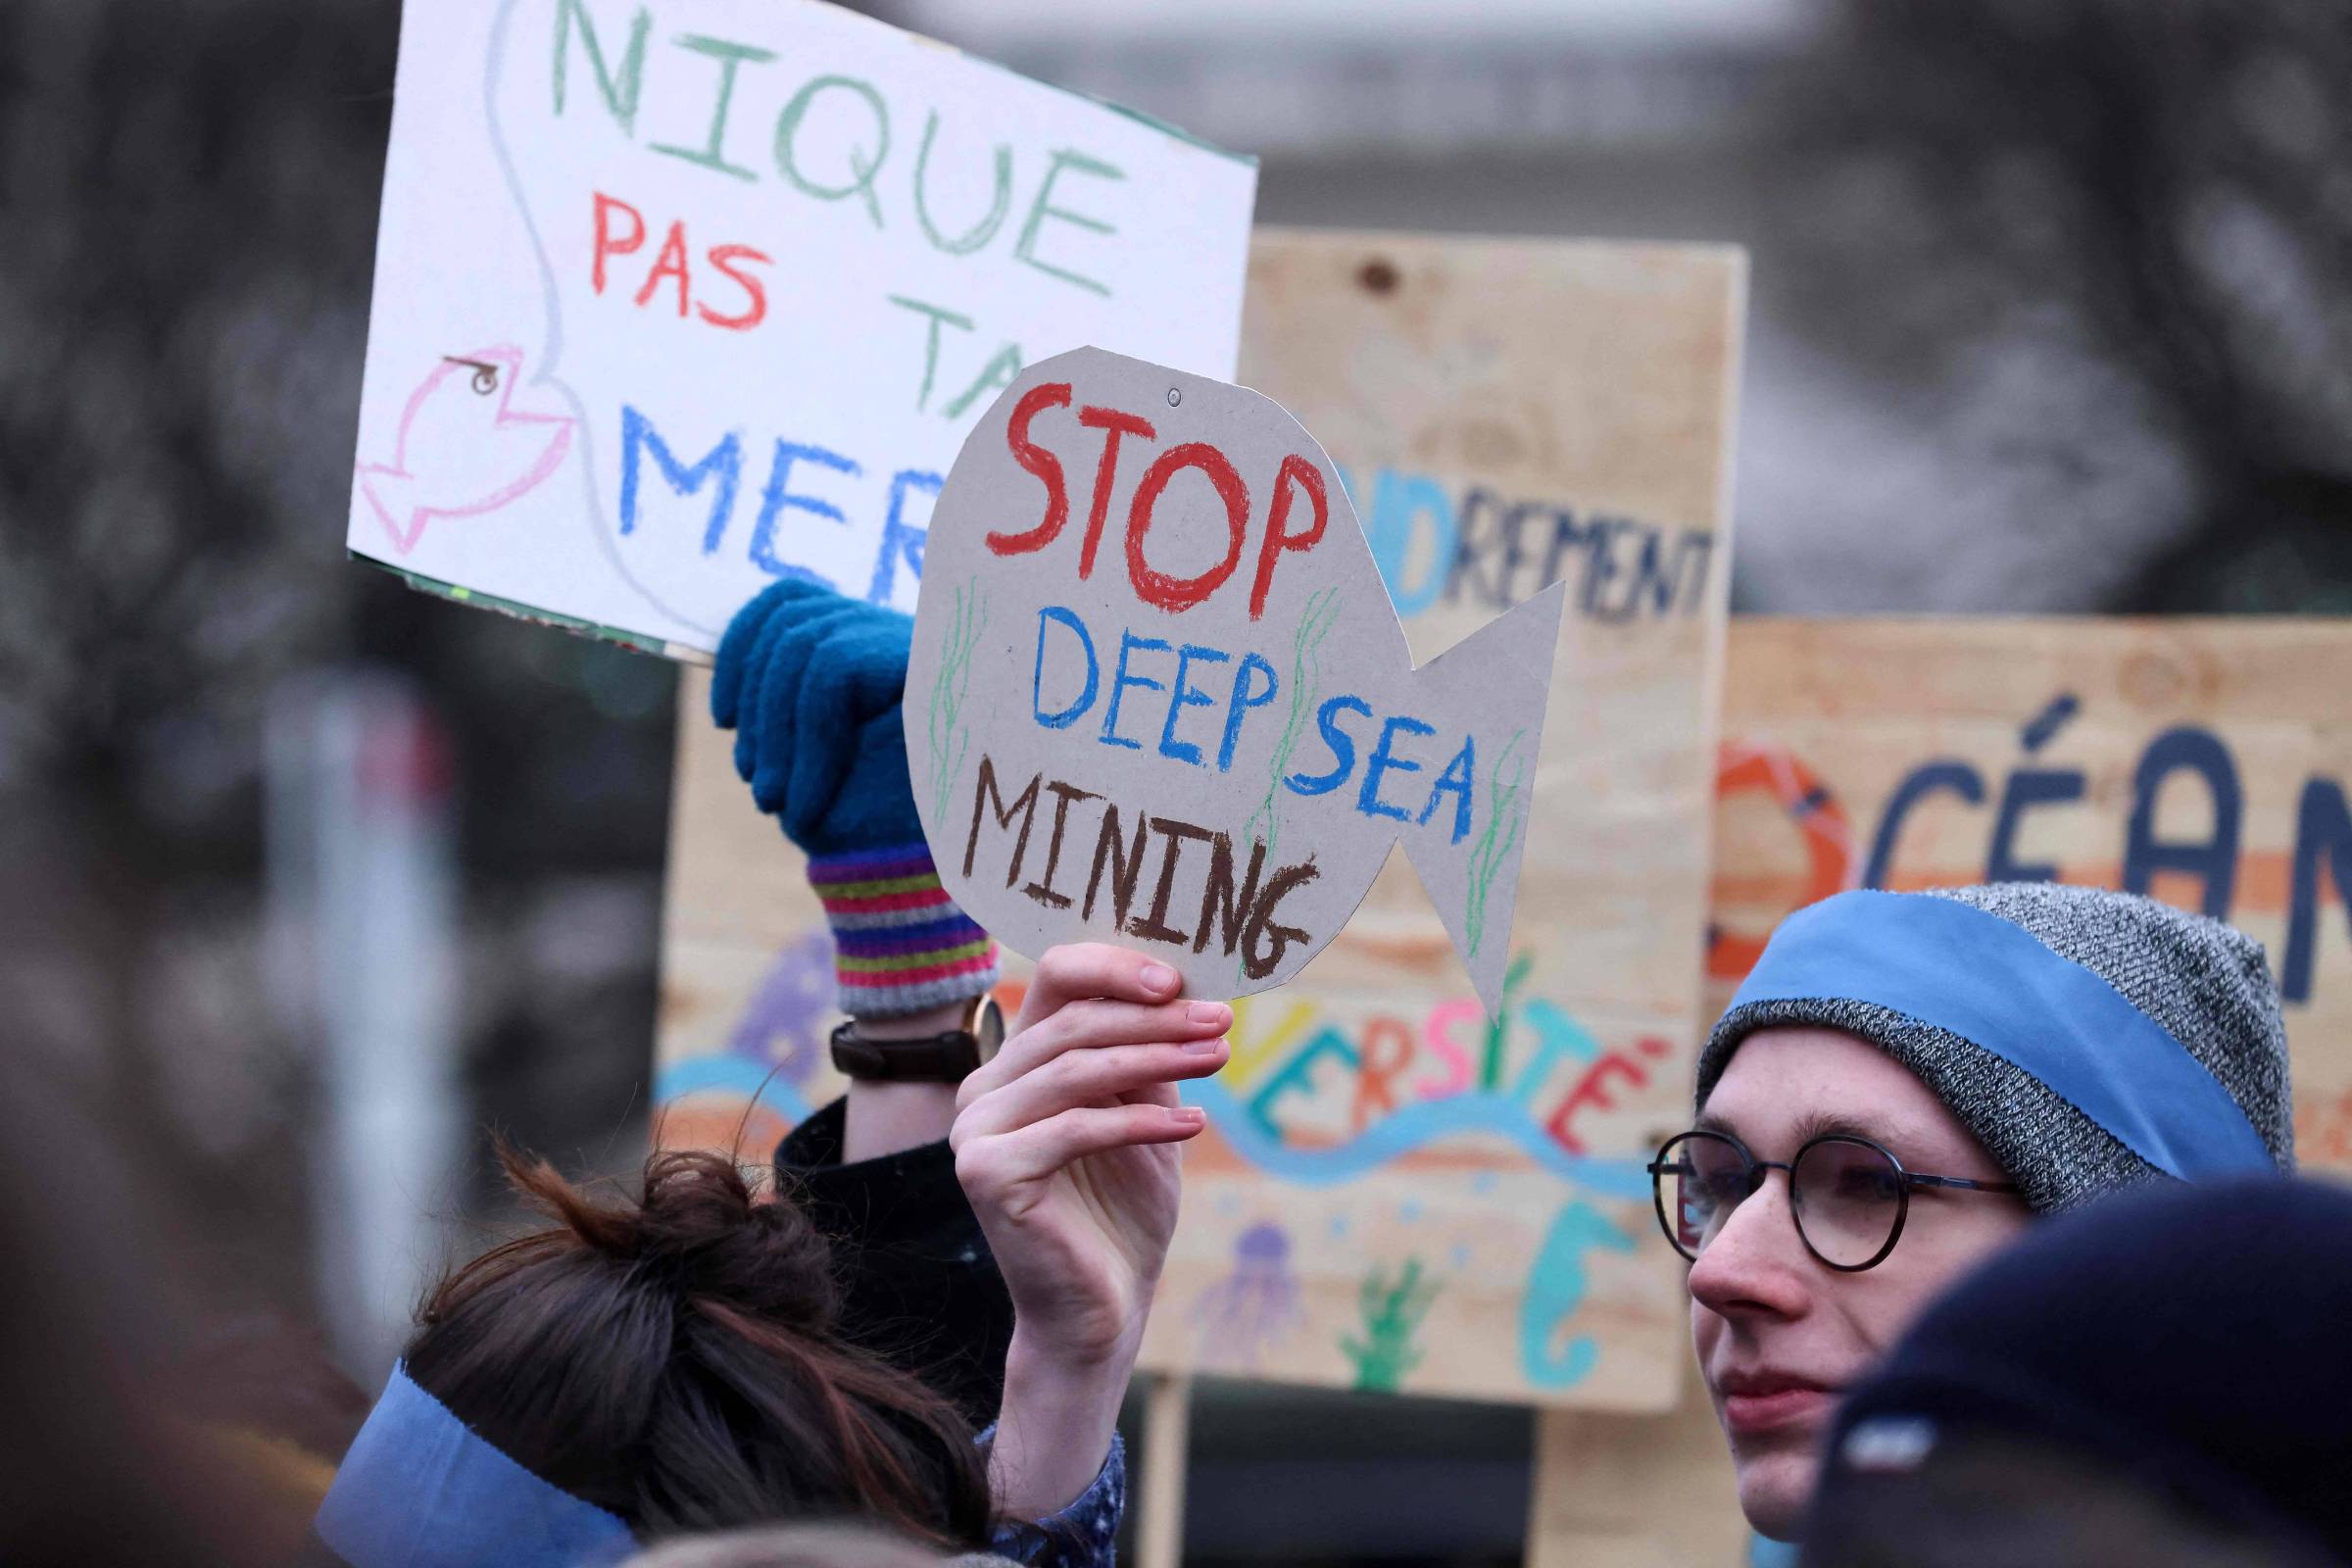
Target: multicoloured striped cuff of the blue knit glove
(900,942)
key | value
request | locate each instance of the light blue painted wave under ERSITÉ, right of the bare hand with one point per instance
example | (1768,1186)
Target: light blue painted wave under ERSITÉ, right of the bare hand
(1405,1132)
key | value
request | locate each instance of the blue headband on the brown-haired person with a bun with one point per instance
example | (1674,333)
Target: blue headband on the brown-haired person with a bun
(422,1492)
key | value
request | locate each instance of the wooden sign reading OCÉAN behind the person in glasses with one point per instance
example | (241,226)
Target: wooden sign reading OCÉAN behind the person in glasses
(2071,732)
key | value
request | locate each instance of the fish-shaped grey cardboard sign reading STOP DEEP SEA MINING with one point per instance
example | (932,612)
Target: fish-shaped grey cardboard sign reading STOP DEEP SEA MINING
(1161,697)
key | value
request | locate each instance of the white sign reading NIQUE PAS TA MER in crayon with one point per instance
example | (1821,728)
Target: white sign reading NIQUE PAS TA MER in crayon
(676,300)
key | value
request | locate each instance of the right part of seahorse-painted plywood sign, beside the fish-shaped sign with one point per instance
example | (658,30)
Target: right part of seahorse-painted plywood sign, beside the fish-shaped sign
(1398,1191)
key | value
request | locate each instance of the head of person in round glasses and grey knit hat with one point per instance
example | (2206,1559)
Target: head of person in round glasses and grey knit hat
(1904,1085)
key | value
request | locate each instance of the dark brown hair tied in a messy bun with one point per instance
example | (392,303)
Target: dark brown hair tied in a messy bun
(676,1362)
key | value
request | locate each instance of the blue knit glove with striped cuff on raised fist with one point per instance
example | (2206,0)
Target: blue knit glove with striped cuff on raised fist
(813,688)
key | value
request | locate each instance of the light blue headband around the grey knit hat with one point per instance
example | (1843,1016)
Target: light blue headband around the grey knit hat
(1993,984)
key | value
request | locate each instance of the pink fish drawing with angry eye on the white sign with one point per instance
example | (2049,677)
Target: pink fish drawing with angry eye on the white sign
(462,448)
